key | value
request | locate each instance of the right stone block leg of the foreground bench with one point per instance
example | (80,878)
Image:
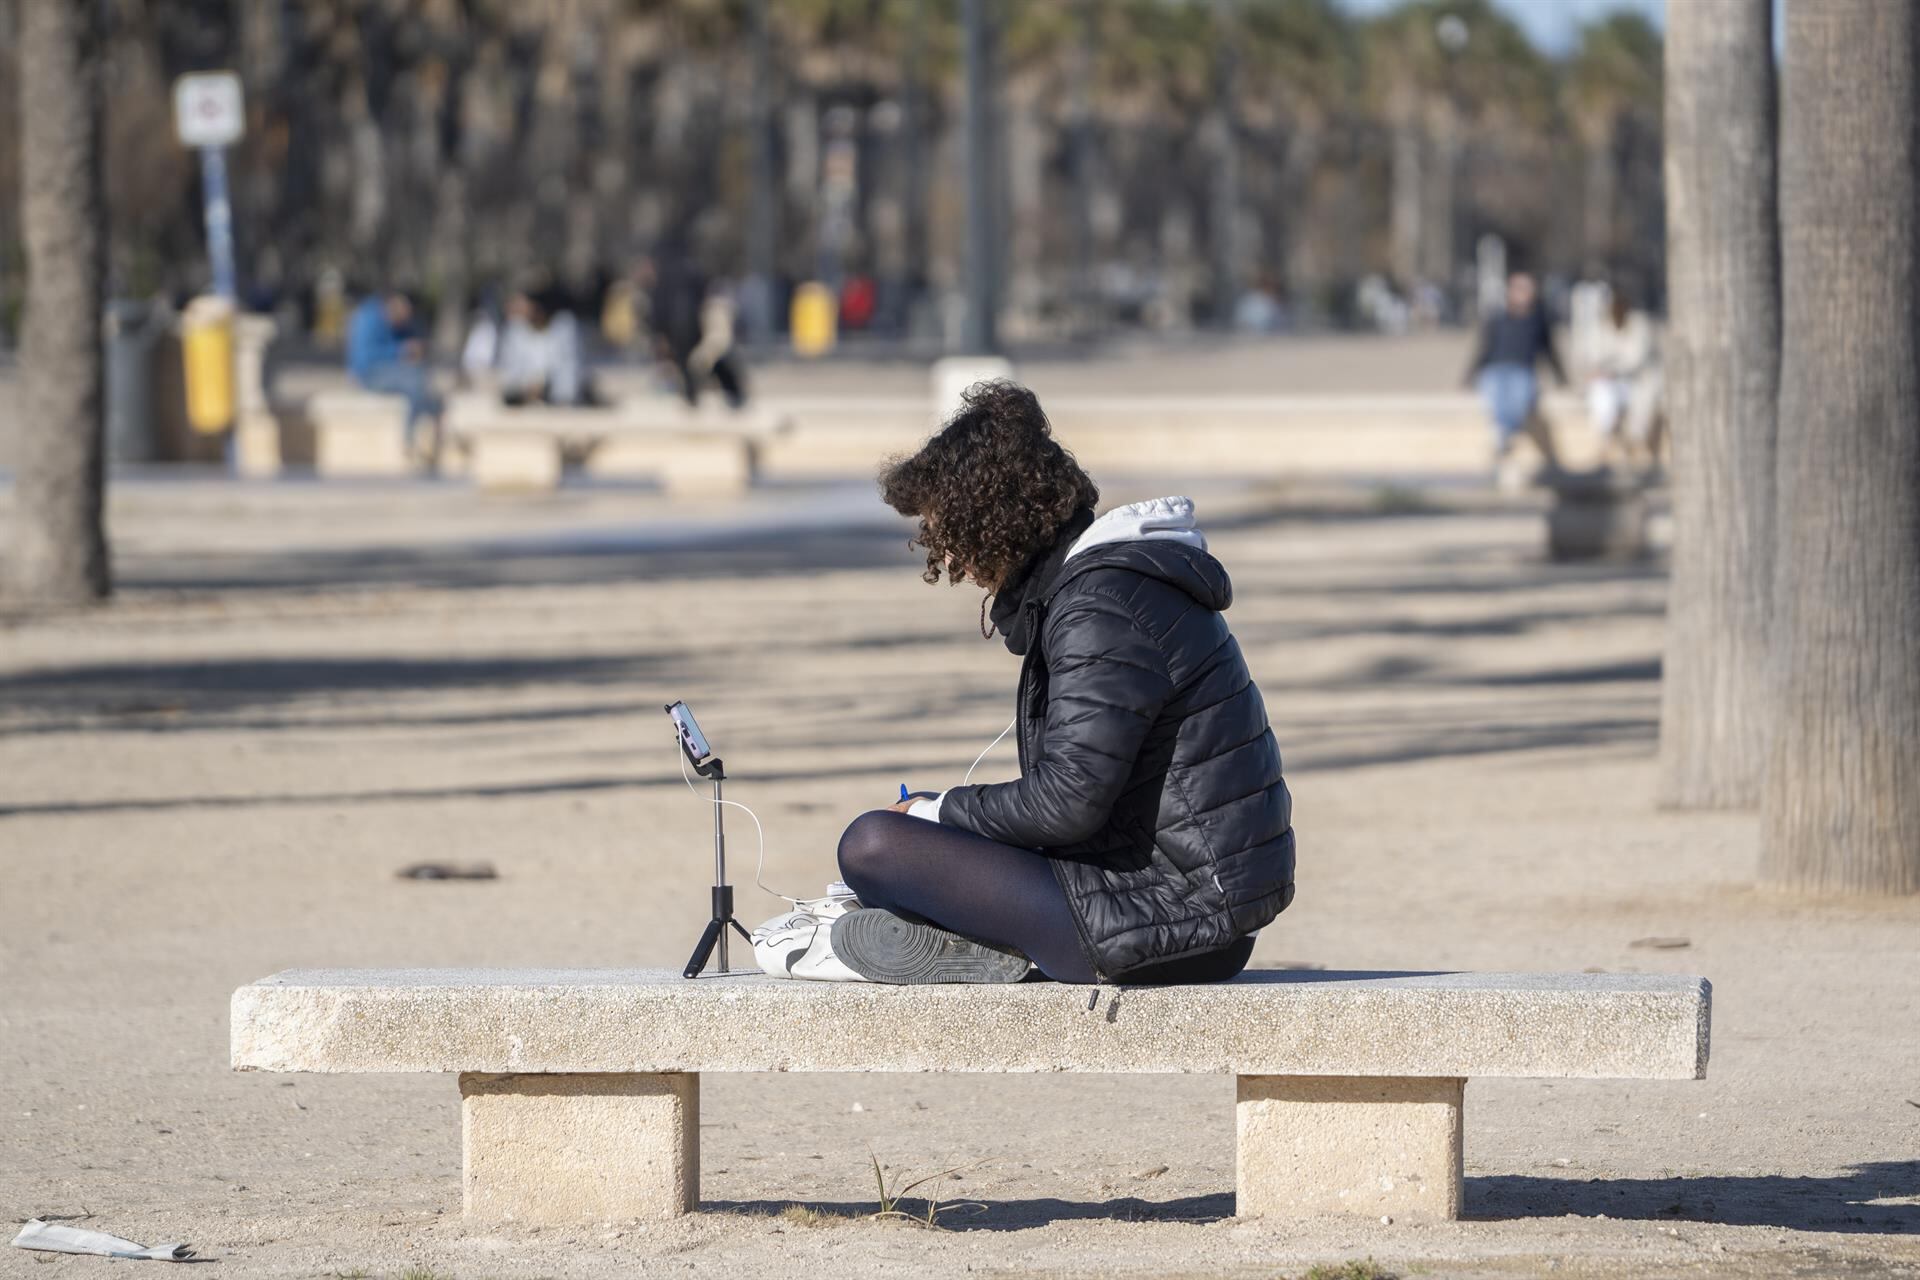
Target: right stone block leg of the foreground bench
(1349,1145)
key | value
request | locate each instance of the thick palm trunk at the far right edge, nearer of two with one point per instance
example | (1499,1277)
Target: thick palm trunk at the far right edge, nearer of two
(1842,801)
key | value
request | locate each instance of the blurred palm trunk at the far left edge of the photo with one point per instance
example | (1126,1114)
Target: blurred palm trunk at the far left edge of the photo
(59,552)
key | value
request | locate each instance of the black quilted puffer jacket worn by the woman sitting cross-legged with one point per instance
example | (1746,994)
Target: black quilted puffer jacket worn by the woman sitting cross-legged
(1149,772)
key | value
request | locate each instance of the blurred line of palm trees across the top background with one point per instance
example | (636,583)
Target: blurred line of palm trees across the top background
(1157,158)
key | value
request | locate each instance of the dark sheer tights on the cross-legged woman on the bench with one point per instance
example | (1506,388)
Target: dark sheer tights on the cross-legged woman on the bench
(994,893)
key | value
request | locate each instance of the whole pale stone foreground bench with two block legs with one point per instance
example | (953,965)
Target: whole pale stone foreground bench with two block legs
(581,1087)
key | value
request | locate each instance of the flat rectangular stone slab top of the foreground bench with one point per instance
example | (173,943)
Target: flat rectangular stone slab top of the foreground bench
(1287,1022)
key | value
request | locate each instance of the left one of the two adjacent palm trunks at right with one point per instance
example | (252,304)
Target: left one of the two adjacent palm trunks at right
(1723,373)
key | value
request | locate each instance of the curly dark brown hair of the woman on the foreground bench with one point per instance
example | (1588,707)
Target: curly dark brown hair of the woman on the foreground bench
(992,488)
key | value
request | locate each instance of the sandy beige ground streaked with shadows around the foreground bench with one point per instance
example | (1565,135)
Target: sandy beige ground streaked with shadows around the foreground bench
(306,688)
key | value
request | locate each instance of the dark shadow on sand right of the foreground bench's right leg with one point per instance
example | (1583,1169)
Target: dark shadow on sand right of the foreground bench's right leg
(1792,1202)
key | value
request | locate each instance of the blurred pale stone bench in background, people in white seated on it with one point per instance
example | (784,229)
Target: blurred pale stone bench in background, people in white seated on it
(702,452)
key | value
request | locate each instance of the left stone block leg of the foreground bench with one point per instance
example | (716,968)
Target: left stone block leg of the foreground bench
(581,1149)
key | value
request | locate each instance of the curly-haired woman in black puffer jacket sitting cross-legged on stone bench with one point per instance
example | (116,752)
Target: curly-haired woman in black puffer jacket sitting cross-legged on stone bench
(1149,834)
